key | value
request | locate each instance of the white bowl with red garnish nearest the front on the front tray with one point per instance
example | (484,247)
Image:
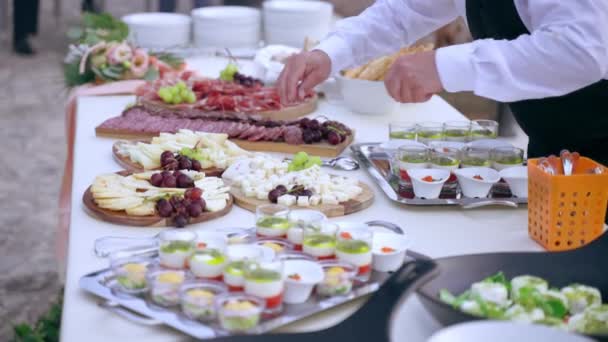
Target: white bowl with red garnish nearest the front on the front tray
(310,274)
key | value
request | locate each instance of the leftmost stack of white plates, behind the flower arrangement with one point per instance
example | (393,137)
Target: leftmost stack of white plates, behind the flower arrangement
(158,30)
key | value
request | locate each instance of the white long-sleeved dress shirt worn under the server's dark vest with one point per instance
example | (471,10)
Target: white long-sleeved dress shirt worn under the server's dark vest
(566,50)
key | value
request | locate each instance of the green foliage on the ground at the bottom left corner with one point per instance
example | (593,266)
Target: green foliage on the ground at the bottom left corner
(46,329)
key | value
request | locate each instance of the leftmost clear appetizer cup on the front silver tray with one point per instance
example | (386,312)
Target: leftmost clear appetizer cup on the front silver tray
(130,273)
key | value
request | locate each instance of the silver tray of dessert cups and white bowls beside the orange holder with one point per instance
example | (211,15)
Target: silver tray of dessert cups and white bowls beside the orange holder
(447,173)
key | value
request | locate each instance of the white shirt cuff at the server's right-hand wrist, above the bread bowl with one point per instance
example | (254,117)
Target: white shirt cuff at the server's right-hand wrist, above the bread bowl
(456,68)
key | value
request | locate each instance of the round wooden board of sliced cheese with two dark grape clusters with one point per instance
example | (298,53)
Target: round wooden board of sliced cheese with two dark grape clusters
(157,198)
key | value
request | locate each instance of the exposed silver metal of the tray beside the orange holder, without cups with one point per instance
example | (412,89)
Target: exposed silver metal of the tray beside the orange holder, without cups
(377,163)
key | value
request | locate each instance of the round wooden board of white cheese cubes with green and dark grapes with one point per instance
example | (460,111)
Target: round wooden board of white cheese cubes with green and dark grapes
(300,183)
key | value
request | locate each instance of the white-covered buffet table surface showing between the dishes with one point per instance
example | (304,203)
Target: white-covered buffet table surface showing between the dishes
(434,231)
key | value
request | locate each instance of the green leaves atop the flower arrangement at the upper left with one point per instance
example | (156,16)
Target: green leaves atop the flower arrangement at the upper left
(99,27)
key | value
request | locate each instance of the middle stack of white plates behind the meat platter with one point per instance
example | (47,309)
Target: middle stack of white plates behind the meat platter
(227,27)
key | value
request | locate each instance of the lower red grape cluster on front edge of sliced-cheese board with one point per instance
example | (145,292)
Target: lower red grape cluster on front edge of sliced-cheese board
(182,208)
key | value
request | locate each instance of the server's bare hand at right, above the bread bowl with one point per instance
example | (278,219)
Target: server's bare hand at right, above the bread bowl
(413,78)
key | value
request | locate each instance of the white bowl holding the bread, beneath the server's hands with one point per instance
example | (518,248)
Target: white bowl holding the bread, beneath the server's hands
(366,97)
